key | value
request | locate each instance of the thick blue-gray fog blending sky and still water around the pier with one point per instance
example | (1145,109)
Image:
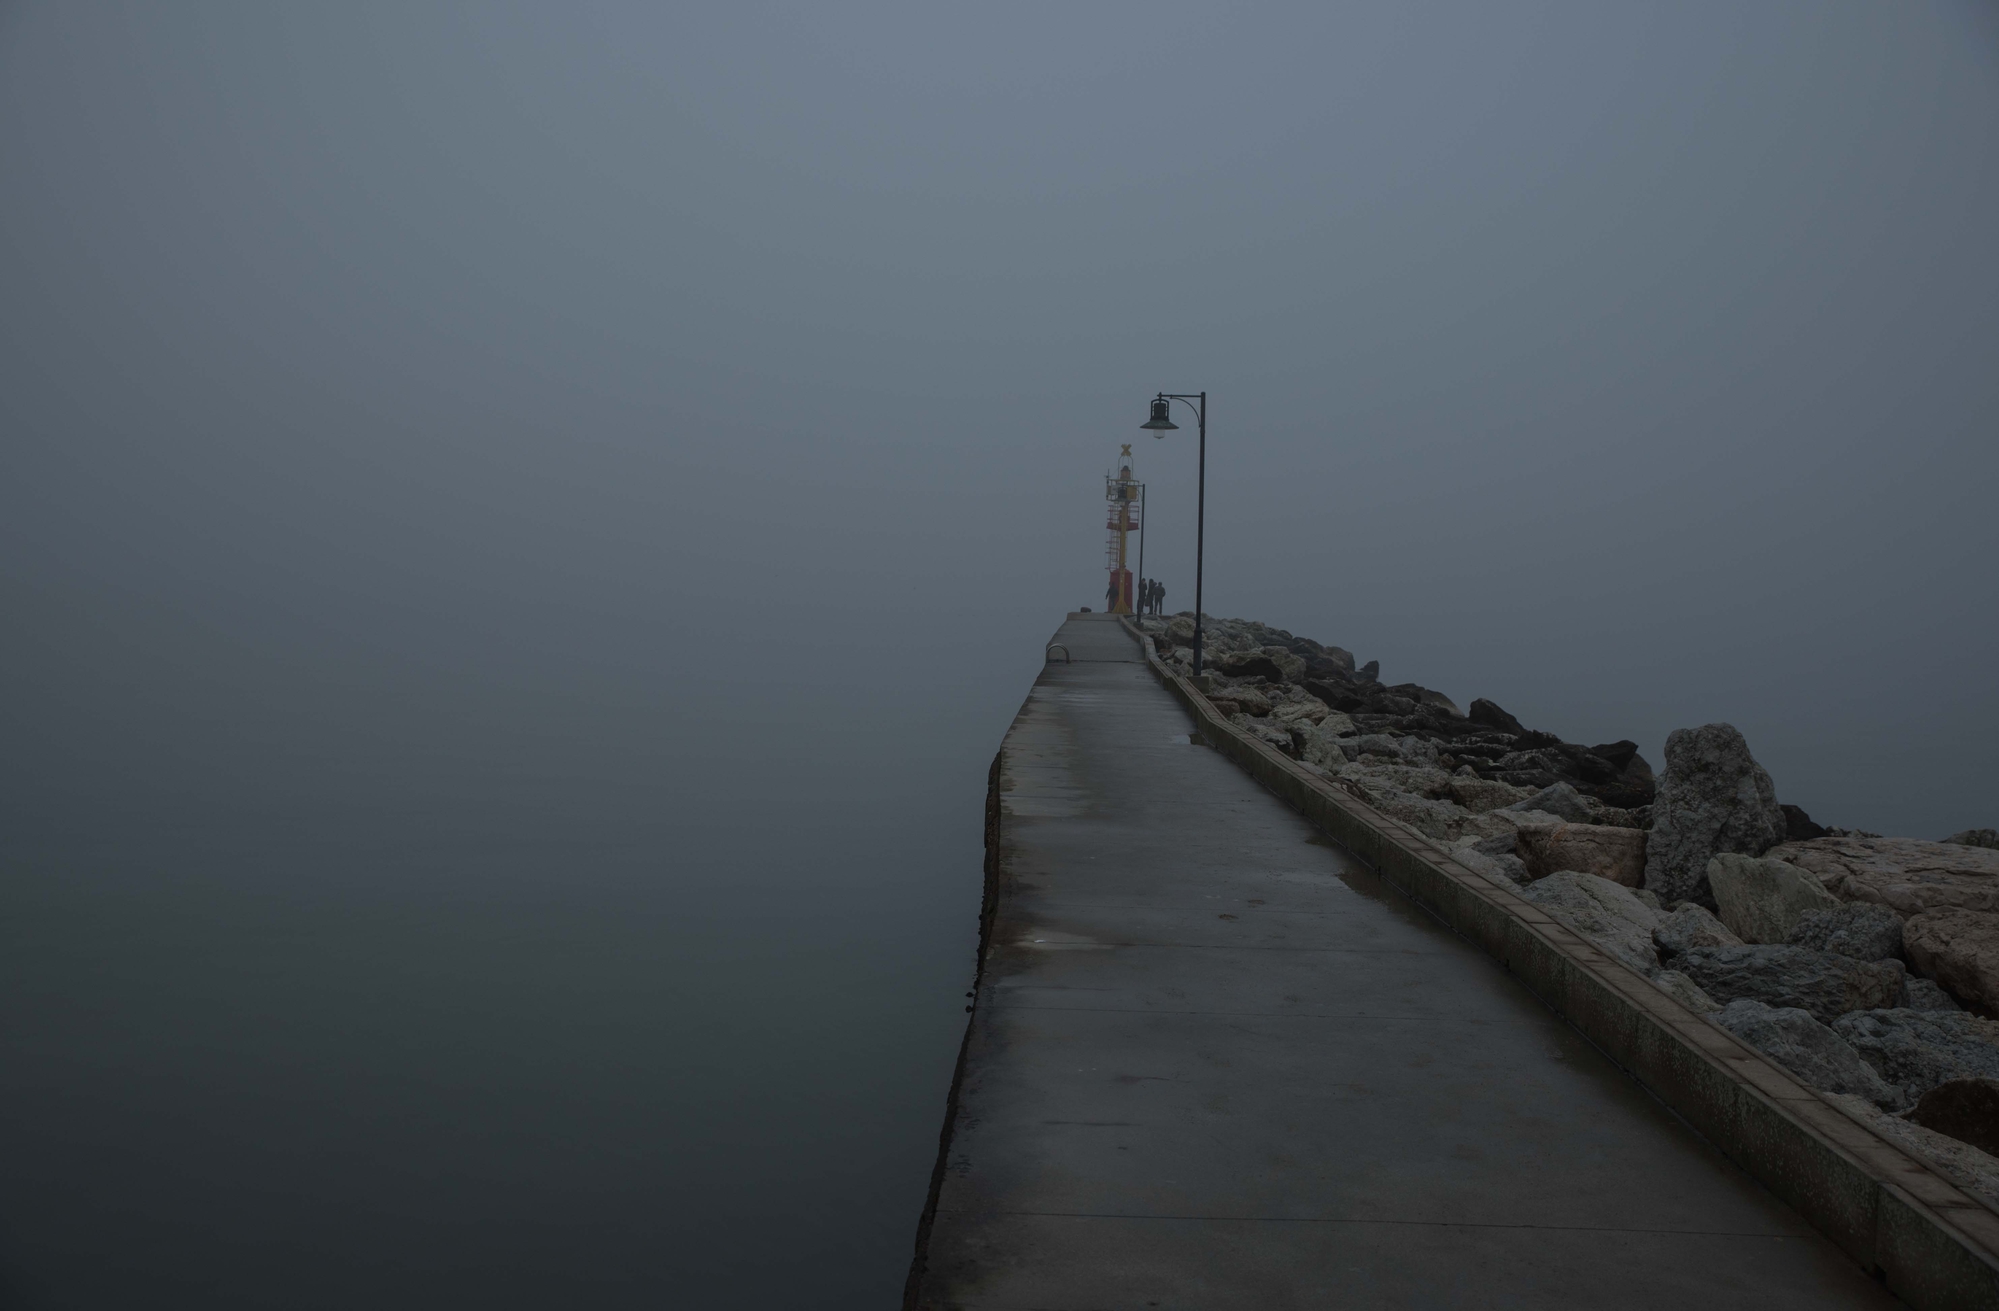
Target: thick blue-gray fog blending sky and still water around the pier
(523,527)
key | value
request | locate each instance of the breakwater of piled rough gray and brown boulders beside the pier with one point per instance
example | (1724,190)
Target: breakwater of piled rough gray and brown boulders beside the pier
(1868,966)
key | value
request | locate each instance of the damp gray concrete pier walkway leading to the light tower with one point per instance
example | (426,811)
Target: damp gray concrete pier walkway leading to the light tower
(1218,1064)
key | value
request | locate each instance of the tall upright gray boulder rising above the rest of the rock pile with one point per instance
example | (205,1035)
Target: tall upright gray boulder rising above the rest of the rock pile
(1714,798)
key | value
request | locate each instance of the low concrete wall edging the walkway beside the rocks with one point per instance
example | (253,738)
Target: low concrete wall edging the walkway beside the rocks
(1936,1246)
